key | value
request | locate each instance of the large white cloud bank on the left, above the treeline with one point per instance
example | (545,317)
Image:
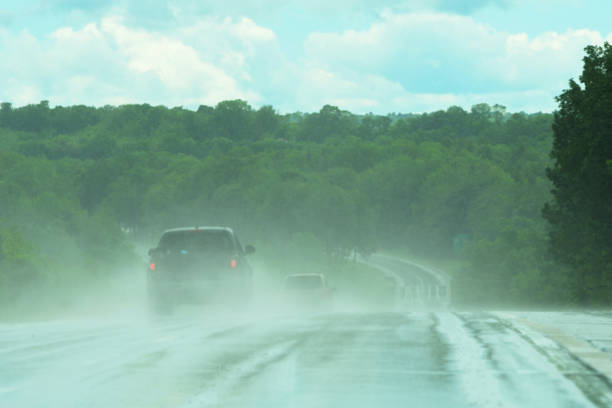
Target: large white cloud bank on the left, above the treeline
(108,61)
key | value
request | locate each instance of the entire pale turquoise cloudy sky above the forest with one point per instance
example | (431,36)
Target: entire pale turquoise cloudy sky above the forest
(297,55)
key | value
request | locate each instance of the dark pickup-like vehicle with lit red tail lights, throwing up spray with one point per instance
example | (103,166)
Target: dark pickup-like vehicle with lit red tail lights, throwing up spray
(198,265)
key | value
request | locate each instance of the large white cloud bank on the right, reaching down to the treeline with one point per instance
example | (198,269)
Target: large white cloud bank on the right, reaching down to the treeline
(434,60)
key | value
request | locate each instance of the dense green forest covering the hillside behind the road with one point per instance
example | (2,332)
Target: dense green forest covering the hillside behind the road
(83,190)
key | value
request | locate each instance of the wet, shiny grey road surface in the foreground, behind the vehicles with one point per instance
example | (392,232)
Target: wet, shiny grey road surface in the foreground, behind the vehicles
(341,359)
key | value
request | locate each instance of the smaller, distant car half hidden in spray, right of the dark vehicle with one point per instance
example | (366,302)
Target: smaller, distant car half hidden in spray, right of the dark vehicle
(309,291)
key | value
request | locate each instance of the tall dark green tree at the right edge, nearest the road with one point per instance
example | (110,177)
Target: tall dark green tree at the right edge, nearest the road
(580,213)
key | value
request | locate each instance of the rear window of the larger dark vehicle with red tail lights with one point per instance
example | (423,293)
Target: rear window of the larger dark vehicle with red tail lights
(196,241)
